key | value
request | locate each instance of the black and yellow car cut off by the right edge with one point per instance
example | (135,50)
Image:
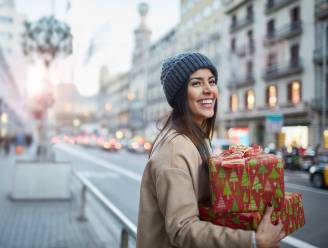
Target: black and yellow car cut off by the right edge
(319,171)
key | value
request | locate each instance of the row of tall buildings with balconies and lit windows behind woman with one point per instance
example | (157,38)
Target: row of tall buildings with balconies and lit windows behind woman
(271,68)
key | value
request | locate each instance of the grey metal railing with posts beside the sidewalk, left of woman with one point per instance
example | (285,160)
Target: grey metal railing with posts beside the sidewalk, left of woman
(128,227)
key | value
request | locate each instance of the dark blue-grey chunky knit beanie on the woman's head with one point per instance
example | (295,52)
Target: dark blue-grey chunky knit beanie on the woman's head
(176,71)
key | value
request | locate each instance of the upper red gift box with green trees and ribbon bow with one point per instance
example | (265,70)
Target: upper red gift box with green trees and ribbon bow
(244,179)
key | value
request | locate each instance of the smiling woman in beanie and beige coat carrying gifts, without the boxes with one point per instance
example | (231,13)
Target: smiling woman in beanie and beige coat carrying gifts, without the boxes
(175,179)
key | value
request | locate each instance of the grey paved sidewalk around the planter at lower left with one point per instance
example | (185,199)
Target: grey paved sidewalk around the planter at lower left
(43,224)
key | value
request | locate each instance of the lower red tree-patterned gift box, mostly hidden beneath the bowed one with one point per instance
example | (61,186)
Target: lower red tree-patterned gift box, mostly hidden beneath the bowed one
(292,216)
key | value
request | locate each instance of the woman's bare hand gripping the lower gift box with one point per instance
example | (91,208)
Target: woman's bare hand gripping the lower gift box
(267,234)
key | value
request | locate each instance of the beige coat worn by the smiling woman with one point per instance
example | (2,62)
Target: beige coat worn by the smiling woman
(173,183)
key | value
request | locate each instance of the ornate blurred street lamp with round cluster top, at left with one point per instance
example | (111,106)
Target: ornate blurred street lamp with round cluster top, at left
(47,39)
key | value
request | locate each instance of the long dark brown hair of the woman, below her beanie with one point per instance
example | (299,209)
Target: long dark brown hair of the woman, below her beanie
(180,119)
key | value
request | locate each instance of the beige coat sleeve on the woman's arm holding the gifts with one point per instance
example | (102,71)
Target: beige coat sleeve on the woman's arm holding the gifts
(178,204)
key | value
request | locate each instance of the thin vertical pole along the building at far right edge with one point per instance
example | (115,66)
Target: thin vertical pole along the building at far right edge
(324,79)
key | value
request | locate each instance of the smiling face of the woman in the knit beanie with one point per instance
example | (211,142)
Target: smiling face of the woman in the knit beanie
(202,94)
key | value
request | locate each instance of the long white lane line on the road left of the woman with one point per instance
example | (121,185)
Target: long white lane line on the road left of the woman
(100,162)
